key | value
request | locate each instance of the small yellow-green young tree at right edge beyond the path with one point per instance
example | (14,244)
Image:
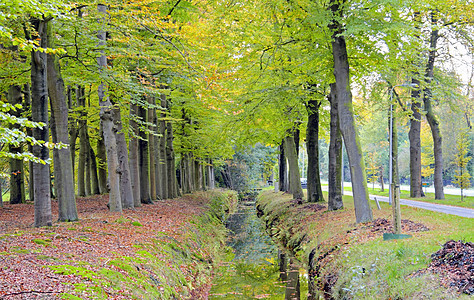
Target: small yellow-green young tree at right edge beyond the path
(461,160)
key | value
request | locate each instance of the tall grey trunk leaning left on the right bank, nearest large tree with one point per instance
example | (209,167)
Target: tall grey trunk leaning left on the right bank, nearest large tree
(360,192)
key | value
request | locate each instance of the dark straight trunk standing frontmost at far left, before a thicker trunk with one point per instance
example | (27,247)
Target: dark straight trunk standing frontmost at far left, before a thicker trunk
(39,113)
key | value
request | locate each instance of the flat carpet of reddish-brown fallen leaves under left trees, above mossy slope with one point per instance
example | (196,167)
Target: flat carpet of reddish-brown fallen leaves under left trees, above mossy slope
(99,236)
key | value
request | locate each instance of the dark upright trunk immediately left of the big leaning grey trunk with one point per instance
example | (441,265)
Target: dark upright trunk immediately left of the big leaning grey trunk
(335,156)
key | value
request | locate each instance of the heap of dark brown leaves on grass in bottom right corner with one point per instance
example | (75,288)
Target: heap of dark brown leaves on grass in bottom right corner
(455,262)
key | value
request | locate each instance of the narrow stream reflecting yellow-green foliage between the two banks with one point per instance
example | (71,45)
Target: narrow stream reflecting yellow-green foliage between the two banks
(252,271)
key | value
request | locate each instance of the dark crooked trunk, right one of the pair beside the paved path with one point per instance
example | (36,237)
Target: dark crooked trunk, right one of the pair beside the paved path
(430,116)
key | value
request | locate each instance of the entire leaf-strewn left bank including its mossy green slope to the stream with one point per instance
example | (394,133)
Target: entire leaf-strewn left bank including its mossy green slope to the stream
(155,251)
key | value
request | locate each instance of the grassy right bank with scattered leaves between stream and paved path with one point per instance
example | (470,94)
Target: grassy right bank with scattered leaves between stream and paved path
(352,261)
